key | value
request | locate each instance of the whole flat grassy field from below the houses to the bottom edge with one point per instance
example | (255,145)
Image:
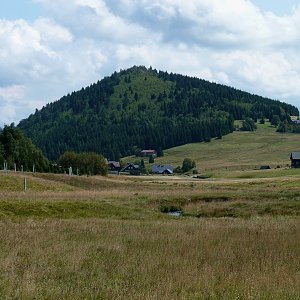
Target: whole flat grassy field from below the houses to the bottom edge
(107,238)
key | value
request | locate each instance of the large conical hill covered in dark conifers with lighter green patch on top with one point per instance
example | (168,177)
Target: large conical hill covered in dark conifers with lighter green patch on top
(143,108)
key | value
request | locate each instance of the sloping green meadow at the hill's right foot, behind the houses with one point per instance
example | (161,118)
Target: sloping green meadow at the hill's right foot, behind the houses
(236,151)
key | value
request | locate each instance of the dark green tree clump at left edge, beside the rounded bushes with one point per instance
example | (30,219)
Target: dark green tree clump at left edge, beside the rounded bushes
(15,148)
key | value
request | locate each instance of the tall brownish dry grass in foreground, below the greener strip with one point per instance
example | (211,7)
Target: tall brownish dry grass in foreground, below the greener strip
(109,259)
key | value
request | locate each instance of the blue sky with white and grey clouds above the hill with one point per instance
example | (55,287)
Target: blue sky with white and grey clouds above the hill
(49,48)
